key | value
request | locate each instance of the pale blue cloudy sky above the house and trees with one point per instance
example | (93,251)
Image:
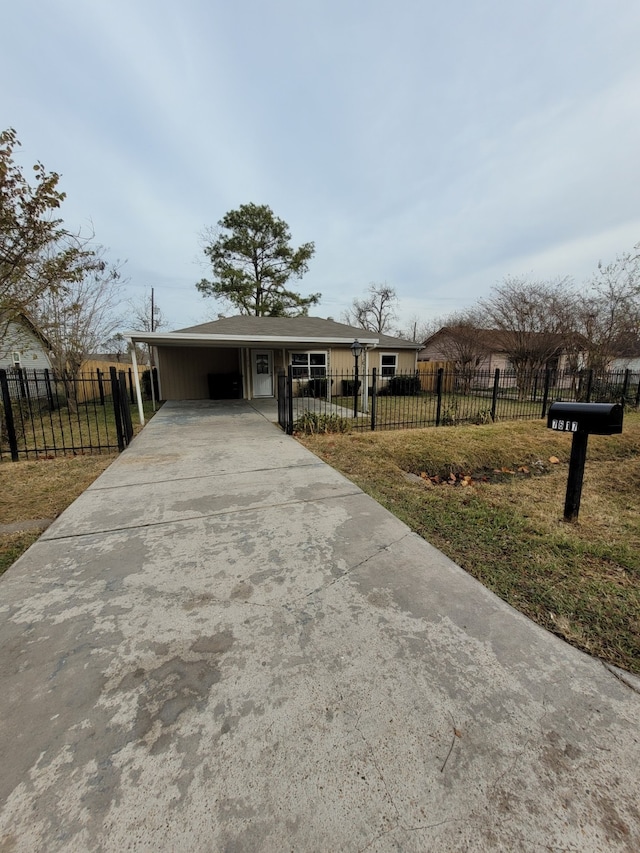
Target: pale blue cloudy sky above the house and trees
(433,146)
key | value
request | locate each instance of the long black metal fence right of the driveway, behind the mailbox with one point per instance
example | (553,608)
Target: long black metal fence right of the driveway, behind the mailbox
(440,397)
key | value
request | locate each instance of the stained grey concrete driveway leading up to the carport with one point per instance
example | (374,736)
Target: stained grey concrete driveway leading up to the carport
(224,645)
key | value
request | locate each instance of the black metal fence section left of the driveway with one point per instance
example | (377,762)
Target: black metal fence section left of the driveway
(44,415)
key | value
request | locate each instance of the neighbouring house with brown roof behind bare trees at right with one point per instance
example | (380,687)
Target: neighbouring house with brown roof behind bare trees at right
(481,349)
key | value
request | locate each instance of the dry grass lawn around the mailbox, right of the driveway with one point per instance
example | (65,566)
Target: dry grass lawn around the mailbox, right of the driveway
(581,581)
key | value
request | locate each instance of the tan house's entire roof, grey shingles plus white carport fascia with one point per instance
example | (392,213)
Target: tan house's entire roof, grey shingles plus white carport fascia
(260,331)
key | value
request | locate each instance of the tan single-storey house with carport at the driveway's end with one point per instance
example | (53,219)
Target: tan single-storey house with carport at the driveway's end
(241,356)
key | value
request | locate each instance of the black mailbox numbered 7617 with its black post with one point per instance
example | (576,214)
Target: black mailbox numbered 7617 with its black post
(582,420)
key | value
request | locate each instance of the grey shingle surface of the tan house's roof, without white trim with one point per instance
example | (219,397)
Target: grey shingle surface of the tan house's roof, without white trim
(295,327)
